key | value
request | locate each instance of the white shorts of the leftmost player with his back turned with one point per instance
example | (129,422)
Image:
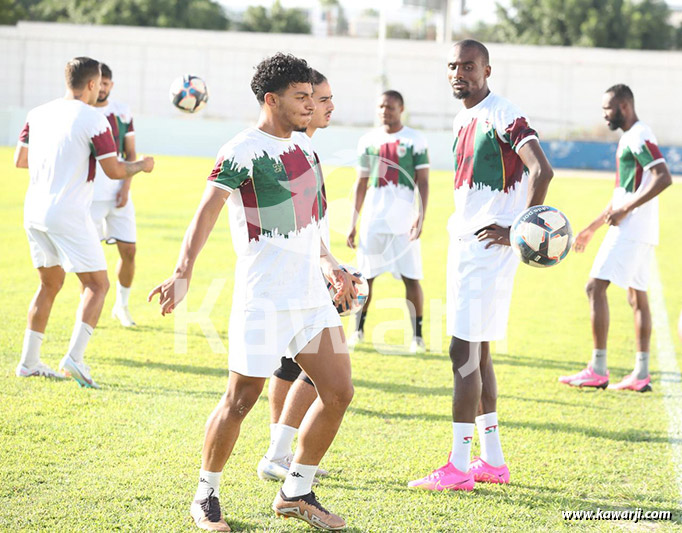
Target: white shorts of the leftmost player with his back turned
(77,252)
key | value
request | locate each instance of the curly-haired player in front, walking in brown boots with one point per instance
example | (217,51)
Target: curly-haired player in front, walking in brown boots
(266,176)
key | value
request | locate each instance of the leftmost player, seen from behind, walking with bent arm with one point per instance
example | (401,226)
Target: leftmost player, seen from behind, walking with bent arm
(60,145)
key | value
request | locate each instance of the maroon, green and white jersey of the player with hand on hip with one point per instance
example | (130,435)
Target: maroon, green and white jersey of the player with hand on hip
(490,178)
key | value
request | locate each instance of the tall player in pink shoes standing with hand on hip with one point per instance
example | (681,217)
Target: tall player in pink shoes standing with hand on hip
(500,169)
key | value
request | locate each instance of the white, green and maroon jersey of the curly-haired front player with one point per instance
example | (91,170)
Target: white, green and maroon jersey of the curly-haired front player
(275,207)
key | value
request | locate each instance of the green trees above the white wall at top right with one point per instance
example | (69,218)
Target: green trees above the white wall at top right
(601,23)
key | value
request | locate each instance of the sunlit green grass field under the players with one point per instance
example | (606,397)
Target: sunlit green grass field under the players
(126,458)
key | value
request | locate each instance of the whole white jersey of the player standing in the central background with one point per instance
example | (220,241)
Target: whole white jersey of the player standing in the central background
(391,160)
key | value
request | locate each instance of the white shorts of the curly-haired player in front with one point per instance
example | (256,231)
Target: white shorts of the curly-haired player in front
(261,335)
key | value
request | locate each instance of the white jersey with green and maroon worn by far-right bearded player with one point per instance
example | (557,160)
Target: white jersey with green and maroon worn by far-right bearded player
(637,152)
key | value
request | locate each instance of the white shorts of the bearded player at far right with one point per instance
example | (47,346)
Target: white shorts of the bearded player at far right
(623,261)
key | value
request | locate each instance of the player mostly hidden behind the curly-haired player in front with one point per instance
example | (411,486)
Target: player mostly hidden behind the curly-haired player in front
(290,391)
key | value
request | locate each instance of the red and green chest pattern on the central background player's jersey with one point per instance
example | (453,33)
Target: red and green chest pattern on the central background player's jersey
(393,162)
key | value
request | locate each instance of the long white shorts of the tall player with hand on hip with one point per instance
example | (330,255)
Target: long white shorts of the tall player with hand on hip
(479,289)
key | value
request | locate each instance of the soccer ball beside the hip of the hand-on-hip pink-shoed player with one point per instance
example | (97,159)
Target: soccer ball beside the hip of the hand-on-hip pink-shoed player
(541,236)
